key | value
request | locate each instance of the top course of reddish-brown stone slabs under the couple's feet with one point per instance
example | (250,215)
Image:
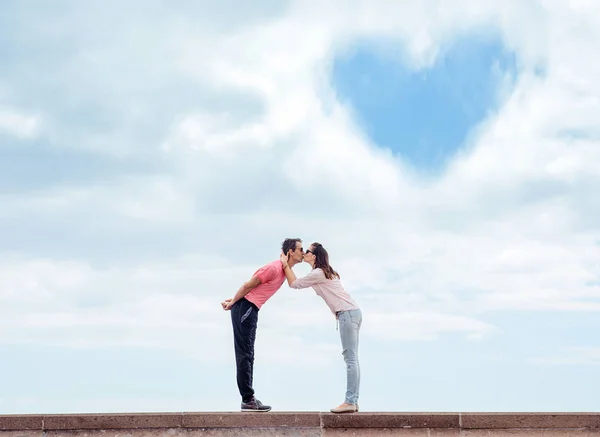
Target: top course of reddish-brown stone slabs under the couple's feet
(297,420)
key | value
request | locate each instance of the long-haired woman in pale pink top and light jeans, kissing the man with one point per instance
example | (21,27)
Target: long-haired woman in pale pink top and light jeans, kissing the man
(326,283)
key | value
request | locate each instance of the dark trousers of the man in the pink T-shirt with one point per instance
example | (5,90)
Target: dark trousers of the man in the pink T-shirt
(244,317)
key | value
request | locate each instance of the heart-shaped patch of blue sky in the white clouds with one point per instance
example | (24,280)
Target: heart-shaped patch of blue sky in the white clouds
(424,116)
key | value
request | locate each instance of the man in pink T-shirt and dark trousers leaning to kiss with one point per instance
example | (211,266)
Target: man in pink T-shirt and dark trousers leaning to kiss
(244,307)
